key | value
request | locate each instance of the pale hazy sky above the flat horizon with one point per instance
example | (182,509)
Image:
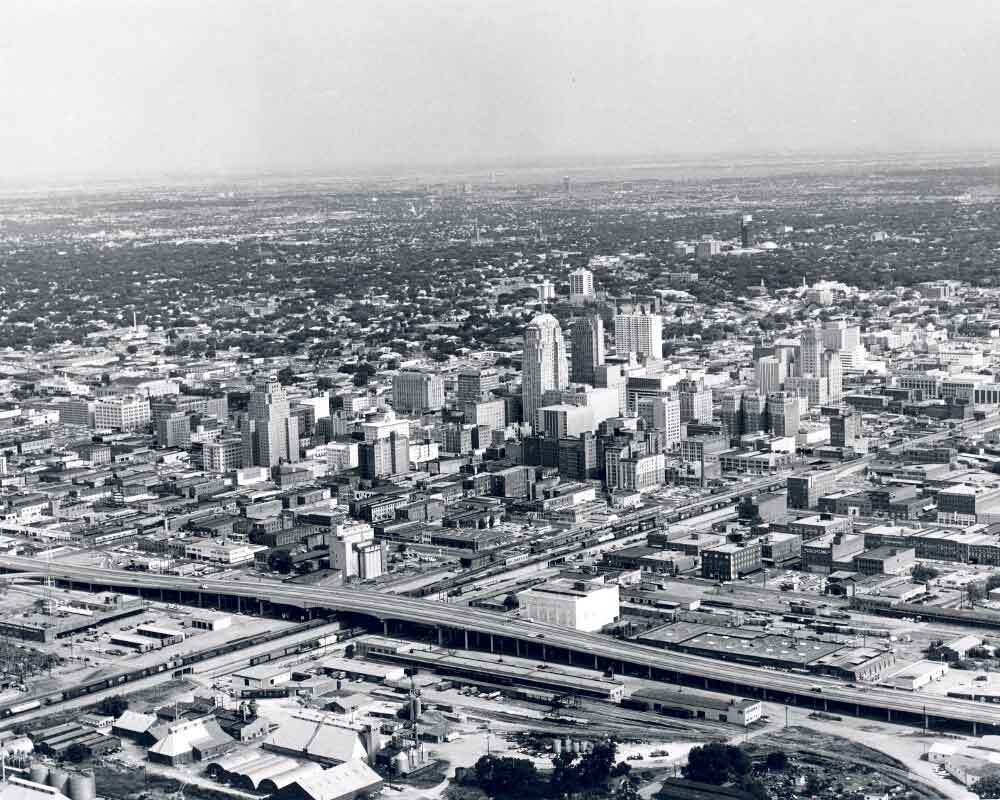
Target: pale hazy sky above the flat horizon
(142,87)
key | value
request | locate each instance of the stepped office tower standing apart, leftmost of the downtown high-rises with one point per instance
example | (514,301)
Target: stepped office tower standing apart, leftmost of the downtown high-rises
(270,435)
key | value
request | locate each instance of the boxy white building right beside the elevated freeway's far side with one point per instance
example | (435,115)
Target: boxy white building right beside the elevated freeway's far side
(580,605)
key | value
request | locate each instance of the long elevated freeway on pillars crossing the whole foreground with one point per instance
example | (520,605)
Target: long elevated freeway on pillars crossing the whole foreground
(461,626)
